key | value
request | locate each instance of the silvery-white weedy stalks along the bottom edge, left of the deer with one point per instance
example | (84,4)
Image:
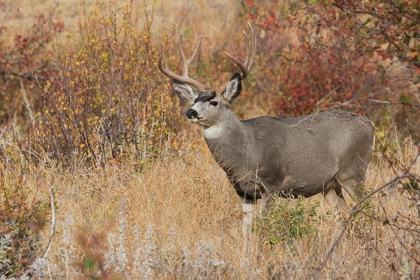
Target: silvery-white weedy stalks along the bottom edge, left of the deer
(141,257)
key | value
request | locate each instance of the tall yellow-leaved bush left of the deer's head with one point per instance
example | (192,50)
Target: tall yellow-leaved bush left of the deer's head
(104,100)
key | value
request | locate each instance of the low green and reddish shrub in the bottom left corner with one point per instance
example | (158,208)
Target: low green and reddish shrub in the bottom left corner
(22,218)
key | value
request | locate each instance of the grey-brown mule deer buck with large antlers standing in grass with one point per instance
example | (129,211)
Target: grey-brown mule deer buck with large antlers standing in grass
(320,153)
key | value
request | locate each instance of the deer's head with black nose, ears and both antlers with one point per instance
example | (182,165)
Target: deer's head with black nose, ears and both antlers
(210,106)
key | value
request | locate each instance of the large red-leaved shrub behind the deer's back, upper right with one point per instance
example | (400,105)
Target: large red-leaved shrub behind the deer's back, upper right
(353,55)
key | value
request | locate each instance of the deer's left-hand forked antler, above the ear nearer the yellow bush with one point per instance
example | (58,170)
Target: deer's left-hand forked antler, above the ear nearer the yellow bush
(187,62)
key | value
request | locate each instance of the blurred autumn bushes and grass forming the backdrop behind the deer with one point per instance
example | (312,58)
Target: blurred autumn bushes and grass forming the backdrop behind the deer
(79,83)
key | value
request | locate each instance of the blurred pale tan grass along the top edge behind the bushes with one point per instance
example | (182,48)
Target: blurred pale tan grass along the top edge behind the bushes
(214,19)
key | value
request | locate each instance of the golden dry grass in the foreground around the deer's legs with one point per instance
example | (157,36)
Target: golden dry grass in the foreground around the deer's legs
(188,202)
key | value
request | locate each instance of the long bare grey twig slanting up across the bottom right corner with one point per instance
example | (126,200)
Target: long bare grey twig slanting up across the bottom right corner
(354,210)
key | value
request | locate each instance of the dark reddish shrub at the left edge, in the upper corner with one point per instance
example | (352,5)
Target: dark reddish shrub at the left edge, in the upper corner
(24,55)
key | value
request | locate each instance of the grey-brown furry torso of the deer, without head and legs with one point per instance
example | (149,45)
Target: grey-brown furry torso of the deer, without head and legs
(297,156)
